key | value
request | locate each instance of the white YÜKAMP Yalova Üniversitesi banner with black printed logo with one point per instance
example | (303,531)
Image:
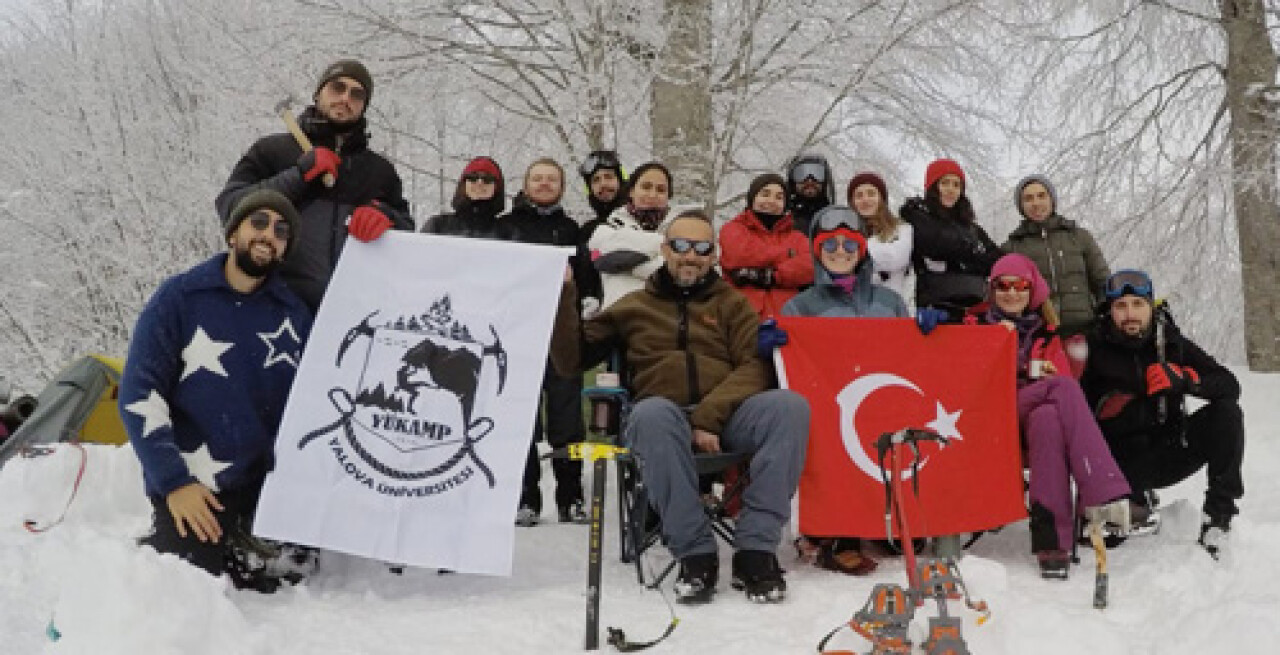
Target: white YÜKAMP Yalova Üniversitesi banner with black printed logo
(408,429)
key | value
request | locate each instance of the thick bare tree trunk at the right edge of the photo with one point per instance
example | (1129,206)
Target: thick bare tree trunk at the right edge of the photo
(1251,81)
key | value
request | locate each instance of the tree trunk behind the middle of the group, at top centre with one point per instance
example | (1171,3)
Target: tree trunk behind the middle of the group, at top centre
(680,108)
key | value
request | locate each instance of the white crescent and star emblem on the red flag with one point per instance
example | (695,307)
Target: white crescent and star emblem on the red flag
(851,401)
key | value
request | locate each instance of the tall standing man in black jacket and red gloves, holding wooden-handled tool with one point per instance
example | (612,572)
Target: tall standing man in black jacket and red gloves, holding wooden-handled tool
(339,187)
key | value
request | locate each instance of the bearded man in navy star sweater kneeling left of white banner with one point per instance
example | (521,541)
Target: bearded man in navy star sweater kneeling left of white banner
(211,367)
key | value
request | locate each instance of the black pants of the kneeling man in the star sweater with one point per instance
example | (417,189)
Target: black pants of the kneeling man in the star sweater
(213,557)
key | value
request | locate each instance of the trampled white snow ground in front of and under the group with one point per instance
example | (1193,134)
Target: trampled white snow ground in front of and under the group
(108,597)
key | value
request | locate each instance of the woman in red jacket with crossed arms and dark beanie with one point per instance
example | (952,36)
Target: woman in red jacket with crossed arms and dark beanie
(762,254)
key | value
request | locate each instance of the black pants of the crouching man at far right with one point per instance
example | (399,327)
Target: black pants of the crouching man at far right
(1215,437)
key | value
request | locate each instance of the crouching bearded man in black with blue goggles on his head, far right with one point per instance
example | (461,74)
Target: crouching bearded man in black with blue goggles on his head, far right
(1140,372)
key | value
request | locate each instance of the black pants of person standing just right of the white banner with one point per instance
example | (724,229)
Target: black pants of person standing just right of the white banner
(564,402)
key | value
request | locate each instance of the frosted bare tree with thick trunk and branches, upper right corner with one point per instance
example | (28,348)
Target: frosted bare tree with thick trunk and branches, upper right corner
(1160,120)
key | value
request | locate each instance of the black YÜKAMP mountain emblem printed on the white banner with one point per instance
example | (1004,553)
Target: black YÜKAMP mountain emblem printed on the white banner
(409,424)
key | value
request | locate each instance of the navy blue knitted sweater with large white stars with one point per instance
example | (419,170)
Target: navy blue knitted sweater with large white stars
(207,379)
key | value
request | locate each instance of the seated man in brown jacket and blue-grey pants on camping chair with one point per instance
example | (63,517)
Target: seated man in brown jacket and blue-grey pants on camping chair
(691,346)
